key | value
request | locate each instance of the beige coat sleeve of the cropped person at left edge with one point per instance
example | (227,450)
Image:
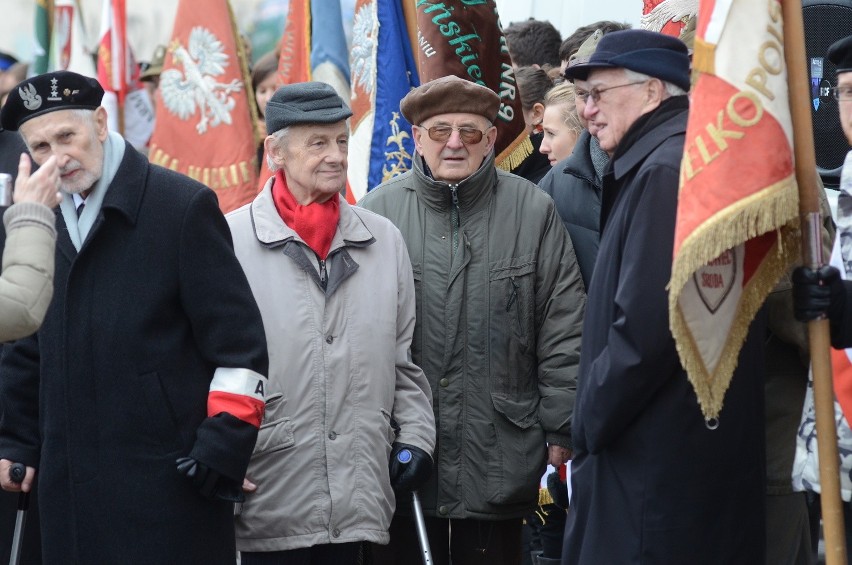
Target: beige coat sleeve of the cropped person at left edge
(26,285)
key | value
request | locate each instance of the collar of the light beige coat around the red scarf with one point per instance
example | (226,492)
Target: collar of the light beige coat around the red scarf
(271,230)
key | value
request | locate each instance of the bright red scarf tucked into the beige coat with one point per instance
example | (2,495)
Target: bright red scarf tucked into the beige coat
(315,223)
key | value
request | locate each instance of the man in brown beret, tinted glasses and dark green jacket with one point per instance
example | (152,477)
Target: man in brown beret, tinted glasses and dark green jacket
(500,303)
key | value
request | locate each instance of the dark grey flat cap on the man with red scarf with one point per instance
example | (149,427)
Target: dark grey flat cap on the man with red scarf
(304,103)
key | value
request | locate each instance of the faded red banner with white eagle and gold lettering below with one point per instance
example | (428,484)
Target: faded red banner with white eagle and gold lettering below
(206,113)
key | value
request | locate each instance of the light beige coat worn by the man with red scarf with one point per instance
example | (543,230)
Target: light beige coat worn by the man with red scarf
(339,368)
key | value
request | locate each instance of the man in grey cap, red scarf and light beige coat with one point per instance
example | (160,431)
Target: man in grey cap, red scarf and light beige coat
(336,292)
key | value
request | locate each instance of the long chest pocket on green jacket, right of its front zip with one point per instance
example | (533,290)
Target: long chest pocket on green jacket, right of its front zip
(511,326)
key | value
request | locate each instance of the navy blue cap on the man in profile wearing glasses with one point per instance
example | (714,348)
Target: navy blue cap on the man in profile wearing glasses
(648,52)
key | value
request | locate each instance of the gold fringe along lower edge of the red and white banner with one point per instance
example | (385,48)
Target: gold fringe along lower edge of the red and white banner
(775,208)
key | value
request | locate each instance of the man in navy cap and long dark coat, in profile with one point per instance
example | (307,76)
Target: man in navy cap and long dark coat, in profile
(652,482)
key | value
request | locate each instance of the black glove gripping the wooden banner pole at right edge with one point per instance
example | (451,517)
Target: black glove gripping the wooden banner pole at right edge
(818,293)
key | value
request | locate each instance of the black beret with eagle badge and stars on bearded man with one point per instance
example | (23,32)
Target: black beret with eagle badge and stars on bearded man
(41,94)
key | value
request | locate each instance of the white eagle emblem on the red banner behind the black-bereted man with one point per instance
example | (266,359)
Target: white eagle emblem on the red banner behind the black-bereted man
(204,59)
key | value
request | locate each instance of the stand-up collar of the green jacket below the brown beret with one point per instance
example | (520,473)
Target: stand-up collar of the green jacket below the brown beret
(473,192)
